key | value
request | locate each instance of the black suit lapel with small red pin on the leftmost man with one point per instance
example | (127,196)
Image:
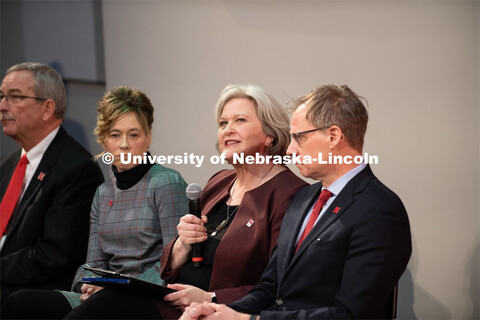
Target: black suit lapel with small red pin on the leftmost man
(39,177)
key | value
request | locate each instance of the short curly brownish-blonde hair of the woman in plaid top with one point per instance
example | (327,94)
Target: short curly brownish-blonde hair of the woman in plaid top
(119,101)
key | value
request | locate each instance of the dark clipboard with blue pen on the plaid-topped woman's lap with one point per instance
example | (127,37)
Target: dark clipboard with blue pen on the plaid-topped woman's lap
(118,281)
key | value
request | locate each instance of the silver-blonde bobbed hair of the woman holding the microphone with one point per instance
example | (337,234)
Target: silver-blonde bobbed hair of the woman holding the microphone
(273,117)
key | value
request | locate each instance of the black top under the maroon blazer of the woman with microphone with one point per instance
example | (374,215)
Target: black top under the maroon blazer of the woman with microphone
(200,277)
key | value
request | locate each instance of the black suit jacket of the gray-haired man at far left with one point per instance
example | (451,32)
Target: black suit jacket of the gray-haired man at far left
(48,232)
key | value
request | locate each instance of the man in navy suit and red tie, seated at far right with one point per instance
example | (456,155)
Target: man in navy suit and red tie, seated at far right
(345,241)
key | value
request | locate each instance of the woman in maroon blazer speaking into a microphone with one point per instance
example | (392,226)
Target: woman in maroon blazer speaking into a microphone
(241,213)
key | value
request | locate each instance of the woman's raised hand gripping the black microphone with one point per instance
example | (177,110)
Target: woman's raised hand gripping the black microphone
(191,230)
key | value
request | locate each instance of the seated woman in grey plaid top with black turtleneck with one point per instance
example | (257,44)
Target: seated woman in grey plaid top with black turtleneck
(133,215)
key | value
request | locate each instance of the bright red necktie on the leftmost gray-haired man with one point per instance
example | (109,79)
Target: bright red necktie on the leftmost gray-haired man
(10,198)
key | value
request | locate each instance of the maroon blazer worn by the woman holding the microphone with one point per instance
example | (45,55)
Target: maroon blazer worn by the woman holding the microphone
(244,251)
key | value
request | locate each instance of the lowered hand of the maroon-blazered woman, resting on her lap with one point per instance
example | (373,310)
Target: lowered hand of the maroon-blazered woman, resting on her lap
(185,295)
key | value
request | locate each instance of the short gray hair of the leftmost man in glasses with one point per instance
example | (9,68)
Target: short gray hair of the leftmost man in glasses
(48,84)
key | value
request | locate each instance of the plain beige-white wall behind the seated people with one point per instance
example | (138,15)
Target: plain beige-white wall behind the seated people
(417,63)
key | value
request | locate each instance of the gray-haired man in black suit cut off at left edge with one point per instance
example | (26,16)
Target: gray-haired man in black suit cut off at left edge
(46,187)
